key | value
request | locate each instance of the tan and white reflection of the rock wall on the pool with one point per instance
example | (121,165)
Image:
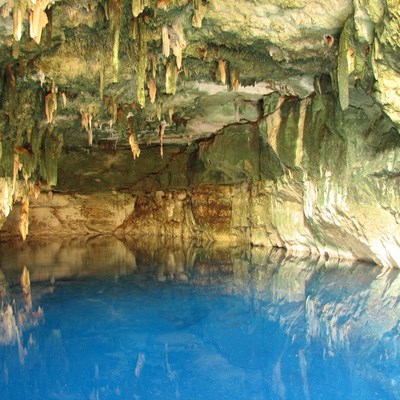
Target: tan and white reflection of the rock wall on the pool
(336,308)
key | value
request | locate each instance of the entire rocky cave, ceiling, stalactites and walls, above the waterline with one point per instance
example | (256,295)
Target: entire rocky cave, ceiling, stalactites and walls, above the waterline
(284,130)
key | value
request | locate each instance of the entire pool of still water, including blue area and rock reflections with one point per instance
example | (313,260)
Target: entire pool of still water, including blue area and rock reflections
(167,320)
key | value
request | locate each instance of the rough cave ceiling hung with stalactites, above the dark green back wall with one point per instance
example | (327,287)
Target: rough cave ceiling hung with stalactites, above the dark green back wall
(198,65)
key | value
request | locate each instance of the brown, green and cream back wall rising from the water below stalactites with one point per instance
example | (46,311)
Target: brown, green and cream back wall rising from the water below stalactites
(306,177)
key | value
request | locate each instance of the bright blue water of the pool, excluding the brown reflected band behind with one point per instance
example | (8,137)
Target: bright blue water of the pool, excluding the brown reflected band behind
(225,337)
